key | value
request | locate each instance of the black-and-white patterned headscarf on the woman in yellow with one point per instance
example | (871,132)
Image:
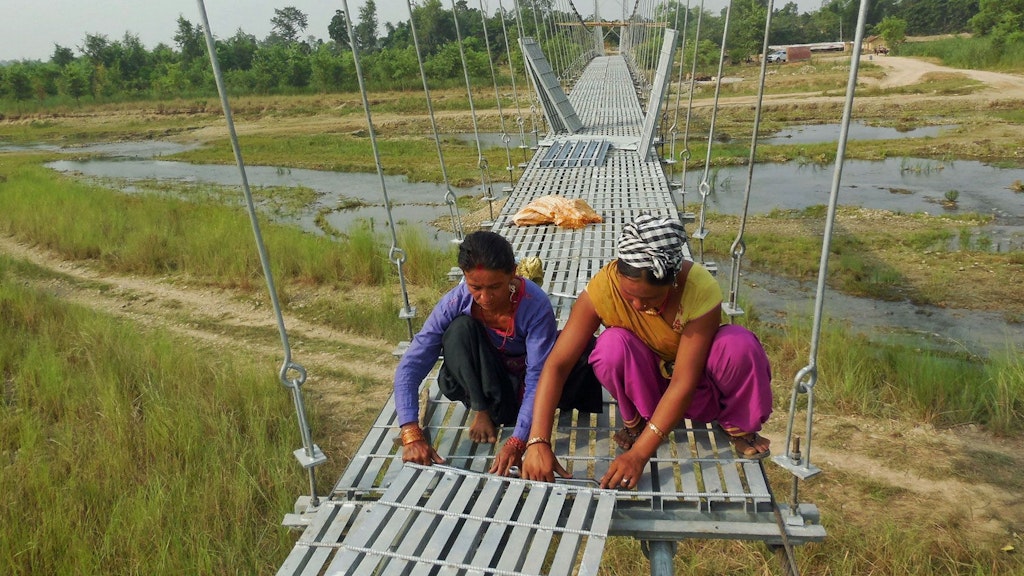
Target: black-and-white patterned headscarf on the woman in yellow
(654,243)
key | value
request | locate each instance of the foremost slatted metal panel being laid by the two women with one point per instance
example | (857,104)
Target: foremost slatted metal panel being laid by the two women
(439,520)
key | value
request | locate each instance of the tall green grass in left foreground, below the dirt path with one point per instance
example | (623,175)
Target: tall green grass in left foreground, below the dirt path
(129,452)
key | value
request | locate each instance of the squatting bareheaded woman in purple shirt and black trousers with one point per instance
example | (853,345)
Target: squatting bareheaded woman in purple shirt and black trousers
(495,331)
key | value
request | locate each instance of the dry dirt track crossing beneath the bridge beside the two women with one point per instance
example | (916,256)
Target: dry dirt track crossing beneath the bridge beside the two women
(928,471)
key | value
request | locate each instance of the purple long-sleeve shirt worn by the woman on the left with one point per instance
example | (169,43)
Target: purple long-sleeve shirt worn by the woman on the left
(535,335)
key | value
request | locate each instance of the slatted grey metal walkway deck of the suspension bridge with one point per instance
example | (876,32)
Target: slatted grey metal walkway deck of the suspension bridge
(696,487)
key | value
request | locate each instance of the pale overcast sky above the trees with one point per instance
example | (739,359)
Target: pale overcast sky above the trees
(31,28)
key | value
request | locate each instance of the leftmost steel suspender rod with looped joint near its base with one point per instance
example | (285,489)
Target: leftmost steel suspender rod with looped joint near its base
(310,456)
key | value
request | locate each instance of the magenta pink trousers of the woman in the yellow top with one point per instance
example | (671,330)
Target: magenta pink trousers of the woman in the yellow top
(736,390)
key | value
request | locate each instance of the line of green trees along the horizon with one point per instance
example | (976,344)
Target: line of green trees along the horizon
(288,62)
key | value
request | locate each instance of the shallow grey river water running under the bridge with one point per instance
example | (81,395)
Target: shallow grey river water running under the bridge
(899,185)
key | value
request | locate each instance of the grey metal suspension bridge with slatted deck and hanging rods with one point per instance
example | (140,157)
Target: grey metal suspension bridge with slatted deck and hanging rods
(604,114)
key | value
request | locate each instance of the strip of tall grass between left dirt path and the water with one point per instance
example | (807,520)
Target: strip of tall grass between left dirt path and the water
(151,235)
